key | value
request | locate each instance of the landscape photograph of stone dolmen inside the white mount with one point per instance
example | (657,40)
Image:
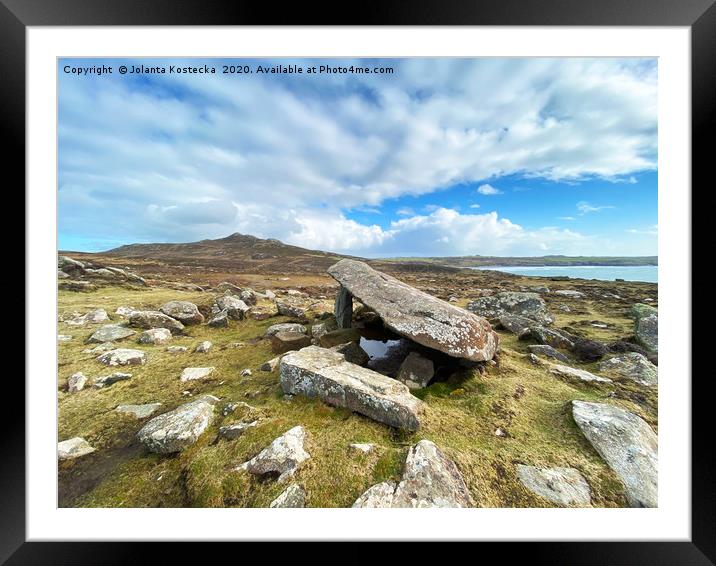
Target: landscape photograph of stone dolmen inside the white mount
(406,282)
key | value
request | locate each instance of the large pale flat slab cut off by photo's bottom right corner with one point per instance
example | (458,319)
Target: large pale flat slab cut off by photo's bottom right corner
(628,445)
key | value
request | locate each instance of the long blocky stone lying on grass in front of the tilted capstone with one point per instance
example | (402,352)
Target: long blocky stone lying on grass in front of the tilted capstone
(317,372)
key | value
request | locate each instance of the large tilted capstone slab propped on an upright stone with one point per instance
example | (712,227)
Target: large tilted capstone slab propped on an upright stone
(416,315)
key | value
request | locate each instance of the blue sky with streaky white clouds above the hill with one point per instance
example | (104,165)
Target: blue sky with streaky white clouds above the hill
(441,157)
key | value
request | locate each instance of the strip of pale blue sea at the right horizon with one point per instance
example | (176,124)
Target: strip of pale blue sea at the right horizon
(645,273)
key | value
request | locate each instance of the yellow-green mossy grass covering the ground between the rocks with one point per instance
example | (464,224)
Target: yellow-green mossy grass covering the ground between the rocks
(462,414)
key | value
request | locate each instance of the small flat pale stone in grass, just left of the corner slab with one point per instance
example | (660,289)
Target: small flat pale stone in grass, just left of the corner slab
(563,486)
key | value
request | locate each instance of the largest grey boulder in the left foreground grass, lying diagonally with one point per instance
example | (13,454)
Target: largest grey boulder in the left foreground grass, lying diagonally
(178,429)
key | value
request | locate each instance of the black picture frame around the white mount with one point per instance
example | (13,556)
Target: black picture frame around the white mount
(699,15)
